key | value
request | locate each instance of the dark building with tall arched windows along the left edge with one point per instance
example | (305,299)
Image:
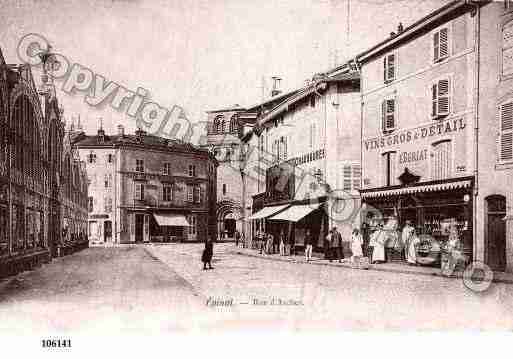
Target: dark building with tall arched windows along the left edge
(31,149)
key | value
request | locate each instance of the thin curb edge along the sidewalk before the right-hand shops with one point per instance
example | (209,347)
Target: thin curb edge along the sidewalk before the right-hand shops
(458,275)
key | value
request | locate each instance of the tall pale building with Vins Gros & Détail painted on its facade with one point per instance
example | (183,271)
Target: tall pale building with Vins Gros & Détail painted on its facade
(437,102)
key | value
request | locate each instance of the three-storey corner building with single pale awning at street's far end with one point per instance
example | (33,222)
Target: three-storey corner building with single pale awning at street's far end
(146,188)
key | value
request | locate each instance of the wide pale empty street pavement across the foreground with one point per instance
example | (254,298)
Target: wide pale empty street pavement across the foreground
(161,288)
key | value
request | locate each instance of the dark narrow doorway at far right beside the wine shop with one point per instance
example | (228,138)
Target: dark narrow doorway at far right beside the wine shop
(495,251)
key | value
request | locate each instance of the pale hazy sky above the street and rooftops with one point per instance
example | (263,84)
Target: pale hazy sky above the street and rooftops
(200,55)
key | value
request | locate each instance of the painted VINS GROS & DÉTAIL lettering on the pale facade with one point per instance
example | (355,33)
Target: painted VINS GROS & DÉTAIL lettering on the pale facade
(437,129)
